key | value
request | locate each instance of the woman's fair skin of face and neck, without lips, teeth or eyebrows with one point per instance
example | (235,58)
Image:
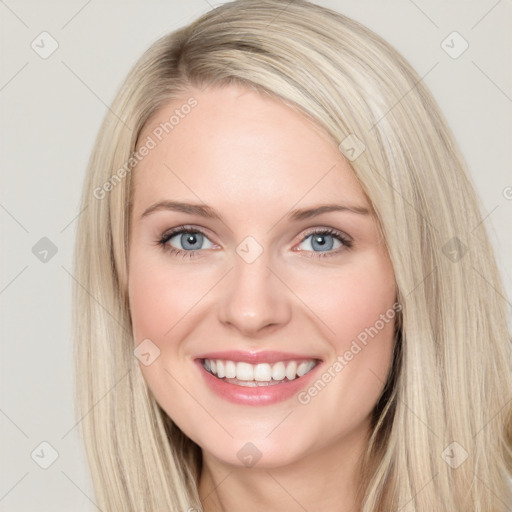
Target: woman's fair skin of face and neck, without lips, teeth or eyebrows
(254,159)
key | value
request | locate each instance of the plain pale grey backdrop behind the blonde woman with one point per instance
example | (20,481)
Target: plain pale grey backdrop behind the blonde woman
(61,64)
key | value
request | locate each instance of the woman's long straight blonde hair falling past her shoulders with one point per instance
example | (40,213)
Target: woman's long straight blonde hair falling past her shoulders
(451,377)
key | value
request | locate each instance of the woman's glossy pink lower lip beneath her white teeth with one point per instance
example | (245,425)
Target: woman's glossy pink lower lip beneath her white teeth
(258,395)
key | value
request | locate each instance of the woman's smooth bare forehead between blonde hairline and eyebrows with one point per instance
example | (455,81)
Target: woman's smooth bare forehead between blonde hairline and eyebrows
(237,148)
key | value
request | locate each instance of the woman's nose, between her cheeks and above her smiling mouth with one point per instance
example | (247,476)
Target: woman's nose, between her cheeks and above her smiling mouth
(254,300)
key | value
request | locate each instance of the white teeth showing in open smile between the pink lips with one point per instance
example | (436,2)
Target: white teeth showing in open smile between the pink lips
(261,374)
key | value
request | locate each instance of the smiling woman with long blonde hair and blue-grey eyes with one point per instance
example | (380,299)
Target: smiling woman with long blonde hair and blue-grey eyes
(287,299)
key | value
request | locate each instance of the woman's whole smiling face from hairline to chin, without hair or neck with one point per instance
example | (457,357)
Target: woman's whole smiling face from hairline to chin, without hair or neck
(266,279)
